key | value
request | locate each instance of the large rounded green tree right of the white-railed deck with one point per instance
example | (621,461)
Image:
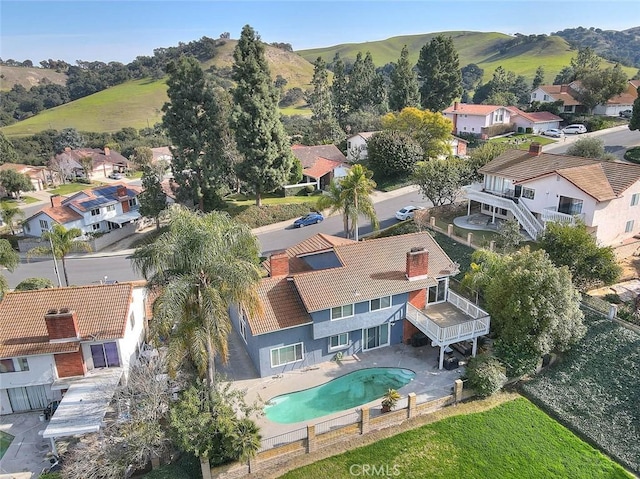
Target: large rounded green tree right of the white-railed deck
(534,307)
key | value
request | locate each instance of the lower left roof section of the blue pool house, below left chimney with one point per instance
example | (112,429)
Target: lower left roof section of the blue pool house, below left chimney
(282,307)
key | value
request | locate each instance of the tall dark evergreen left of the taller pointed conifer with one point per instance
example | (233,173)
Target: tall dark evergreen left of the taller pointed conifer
(195,122)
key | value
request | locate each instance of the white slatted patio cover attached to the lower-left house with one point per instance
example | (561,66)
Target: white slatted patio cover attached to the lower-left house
(85,403)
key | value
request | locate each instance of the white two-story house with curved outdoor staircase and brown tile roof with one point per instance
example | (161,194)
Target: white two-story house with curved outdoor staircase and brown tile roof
(537,188)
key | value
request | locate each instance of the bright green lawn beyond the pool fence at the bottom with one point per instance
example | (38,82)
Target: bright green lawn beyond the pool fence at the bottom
(513,440)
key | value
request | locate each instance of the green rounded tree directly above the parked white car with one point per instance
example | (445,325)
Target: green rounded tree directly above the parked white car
(440,180)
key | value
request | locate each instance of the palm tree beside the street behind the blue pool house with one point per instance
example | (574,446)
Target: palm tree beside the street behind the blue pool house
(356,188)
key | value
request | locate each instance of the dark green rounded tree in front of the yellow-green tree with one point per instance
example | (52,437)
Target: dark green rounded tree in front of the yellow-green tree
(392,153)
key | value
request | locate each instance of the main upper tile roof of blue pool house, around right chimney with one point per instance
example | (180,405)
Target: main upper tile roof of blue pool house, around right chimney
(371,269)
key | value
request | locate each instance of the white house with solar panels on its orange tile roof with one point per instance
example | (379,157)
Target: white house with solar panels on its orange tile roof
(96,210)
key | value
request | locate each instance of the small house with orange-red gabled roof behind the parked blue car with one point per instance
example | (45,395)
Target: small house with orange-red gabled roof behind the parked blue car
(320,164)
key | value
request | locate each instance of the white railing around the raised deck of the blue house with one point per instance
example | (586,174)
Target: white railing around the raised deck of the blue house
(451,334)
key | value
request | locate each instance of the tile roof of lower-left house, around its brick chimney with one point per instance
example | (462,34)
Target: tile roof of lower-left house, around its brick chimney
(102,311)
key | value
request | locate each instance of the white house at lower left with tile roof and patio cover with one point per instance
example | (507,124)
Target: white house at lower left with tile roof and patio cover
(69,344)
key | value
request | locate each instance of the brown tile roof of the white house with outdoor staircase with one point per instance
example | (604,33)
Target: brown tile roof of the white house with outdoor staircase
(521,166)
